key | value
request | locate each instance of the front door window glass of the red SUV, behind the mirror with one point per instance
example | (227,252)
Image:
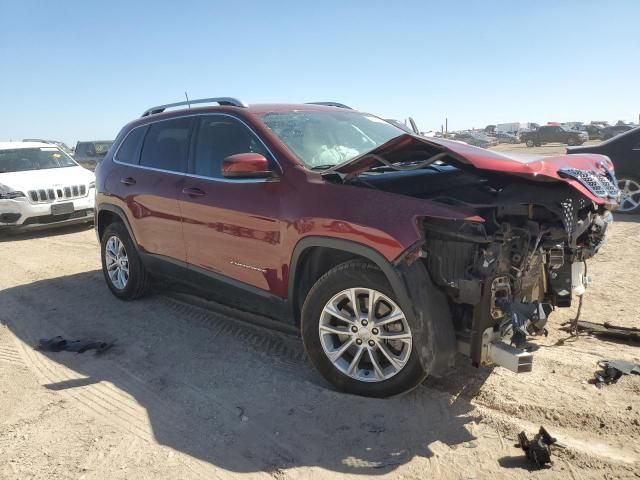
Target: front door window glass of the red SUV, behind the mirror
(218,137)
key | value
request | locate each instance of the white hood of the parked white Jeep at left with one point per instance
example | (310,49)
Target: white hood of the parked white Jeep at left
(46,178)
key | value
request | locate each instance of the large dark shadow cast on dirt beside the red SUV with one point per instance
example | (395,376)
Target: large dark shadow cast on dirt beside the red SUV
(240,397)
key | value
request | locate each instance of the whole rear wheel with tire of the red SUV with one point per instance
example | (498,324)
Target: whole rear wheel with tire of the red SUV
(126,276)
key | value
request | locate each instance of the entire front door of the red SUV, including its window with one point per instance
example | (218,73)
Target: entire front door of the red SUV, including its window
(231,226)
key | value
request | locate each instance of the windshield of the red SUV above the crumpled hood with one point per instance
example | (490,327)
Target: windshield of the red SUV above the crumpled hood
(324,139)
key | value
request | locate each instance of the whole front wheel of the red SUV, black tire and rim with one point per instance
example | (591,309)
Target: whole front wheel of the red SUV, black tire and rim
(356,334)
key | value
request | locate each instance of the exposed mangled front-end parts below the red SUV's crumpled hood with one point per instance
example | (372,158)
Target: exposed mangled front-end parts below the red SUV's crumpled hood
(504,276)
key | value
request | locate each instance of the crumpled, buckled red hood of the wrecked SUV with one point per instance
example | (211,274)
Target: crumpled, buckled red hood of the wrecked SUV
(408,147)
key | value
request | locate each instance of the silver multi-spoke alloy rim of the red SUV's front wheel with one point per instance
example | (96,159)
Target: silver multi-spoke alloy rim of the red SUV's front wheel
(365,334)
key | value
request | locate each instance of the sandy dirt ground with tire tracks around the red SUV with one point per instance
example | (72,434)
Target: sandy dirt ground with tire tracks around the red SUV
(191,390)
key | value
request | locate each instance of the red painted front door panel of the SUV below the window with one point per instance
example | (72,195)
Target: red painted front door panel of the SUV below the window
(235,230)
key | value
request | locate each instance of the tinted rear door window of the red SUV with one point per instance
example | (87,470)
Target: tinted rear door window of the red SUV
(166,145)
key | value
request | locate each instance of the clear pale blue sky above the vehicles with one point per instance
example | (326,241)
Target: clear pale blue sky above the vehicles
(81,69)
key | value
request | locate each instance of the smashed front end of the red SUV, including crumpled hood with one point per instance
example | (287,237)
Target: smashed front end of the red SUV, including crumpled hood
(522,250)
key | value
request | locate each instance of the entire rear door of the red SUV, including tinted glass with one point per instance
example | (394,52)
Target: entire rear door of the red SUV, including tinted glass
(151,174)
